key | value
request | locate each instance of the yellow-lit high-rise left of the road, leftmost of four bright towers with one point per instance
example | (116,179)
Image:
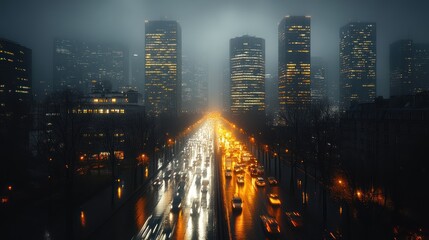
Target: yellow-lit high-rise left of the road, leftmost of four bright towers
(163,67)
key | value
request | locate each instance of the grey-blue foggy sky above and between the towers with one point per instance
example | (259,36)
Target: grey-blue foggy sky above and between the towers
(207,27)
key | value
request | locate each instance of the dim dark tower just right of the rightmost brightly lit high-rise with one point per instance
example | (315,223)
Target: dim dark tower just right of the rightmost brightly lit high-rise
(401,68)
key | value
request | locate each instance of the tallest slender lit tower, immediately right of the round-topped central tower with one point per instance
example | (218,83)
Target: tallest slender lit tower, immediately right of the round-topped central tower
(294,62)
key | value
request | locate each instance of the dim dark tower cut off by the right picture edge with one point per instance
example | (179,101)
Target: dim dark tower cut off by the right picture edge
(421,67)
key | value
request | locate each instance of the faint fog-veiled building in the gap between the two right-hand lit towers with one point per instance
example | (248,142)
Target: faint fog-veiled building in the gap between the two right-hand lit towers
(318,80)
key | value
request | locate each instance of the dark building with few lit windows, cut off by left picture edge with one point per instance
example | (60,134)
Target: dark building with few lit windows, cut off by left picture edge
(15,102)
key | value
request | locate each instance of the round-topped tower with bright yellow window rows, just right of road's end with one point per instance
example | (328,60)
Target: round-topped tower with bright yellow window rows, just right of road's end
(247,75)
